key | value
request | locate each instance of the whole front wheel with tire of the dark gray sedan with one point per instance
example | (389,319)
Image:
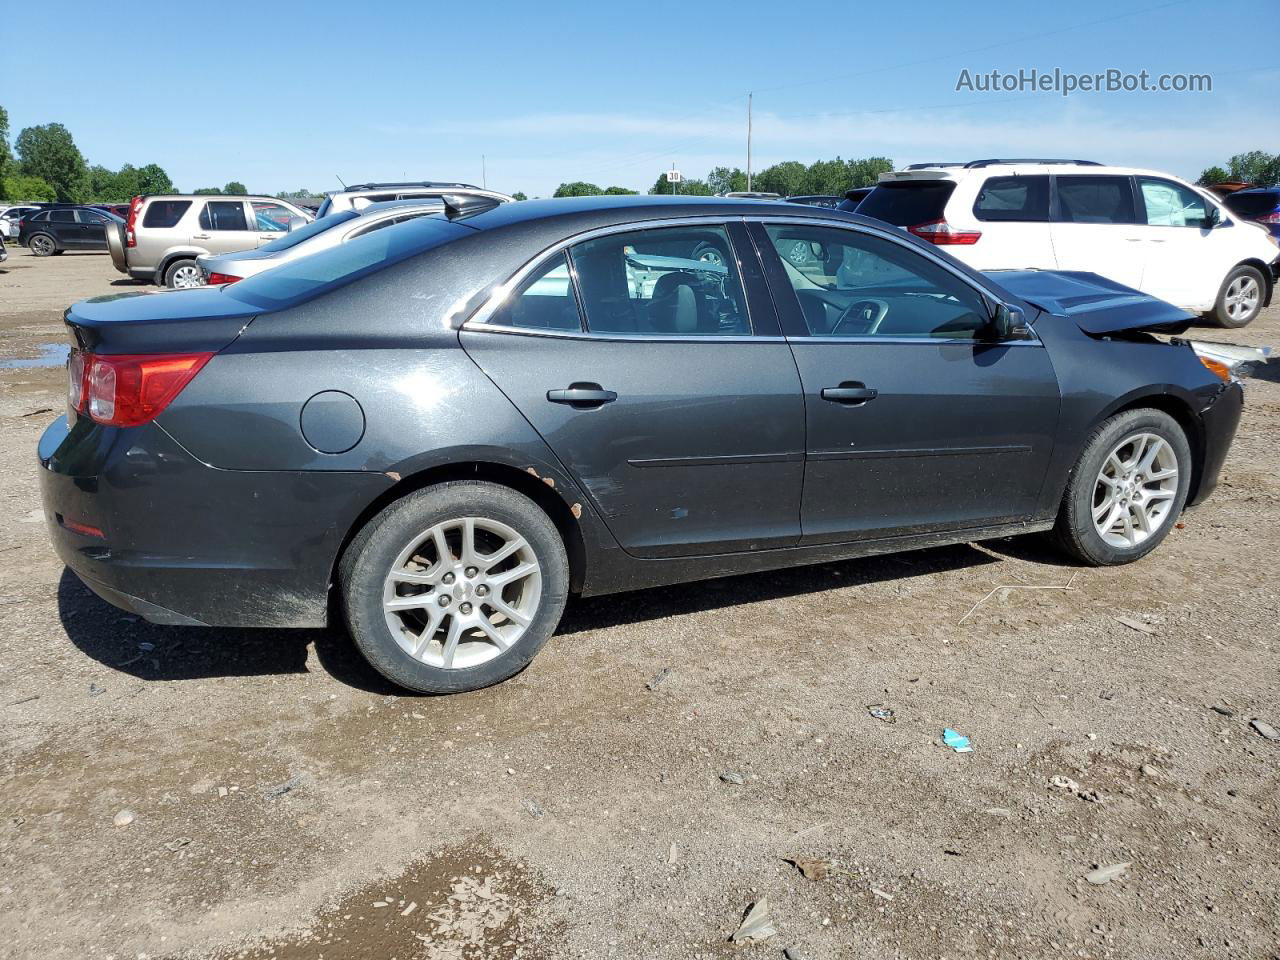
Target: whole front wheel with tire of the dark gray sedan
(1127,491)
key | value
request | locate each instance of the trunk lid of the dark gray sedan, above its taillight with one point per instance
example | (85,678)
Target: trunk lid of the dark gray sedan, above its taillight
(180,322)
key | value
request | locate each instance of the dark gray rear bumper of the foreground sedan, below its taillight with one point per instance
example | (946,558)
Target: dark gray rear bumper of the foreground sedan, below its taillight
(185,543)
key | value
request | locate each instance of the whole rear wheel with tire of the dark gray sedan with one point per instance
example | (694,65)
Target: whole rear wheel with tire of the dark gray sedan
(455,588)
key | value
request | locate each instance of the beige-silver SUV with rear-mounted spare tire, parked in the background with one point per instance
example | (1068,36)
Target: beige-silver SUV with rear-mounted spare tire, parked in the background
(164,235)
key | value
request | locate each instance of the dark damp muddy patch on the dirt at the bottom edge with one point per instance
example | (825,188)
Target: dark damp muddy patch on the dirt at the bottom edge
(463,904)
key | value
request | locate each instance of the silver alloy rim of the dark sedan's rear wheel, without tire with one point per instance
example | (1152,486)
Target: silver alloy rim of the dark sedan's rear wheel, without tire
(463,593)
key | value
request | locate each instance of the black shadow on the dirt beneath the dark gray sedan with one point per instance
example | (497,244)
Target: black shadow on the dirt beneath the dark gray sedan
(129,644)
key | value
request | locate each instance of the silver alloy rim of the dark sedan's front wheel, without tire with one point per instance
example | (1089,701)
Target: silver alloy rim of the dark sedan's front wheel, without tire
(1135,491)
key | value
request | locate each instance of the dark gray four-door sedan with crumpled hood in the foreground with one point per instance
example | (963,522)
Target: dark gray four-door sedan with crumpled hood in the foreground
(455,423)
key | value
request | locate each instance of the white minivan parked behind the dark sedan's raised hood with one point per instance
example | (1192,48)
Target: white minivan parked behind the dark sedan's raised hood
(1145,230)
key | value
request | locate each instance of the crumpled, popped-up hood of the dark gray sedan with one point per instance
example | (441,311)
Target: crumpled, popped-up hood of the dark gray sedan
(1098,305)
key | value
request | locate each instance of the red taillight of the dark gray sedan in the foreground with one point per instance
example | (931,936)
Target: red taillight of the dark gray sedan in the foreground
(129,390)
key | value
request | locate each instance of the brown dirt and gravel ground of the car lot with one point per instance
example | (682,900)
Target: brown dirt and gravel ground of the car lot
(287,803)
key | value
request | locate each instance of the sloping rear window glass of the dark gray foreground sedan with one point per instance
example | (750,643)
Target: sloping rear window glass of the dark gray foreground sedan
(307,278)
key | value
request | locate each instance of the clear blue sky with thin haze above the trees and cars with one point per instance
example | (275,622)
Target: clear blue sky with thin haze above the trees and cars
(284,95)
